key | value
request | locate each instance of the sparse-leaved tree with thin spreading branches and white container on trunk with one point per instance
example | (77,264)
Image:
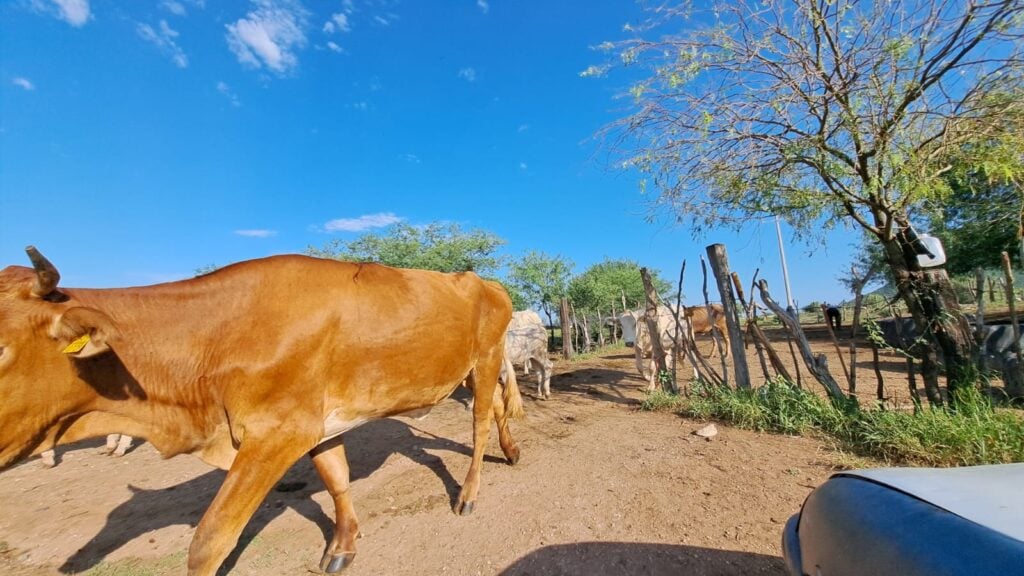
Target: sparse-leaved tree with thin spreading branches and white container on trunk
(827,112)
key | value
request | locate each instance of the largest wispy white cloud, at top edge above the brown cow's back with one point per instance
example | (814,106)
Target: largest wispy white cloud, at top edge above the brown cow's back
(270,35)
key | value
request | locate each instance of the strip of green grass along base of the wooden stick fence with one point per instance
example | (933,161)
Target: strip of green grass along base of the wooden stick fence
(975,434)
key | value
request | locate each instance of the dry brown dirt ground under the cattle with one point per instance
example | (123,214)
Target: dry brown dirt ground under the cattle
(603,488)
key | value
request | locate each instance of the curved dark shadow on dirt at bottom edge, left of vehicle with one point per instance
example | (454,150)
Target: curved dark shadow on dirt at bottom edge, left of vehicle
(599,559)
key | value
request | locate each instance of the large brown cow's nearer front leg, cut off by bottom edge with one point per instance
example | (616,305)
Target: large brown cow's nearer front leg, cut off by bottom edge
(264,459)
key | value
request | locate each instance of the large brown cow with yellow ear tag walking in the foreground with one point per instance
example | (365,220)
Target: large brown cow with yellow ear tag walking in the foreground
(250,368)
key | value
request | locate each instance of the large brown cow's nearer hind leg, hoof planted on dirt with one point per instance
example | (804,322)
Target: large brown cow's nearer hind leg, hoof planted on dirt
(485,383)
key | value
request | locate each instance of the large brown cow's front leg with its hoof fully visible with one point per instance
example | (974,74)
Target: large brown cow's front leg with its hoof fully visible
(333,469)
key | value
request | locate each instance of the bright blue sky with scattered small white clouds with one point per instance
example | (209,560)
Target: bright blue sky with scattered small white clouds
(142,141)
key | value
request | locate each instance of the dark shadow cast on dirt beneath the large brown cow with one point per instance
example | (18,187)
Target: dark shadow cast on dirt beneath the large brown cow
(368,447)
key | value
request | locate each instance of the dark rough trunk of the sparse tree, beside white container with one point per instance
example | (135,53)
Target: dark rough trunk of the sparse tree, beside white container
(932,303)
